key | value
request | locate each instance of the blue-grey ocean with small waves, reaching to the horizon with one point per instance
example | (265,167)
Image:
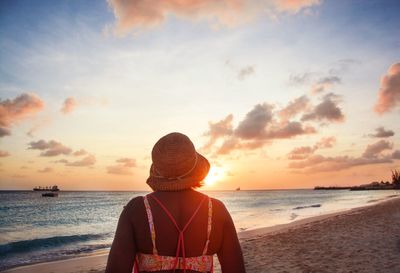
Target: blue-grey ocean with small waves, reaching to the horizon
(36,229)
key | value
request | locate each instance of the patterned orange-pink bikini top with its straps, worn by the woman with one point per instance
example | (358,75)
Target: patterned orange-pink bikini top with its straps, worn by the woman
(155,262)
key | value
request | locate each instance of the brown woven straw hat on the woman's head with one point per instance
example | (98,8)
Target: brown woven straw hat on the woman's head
(176,164)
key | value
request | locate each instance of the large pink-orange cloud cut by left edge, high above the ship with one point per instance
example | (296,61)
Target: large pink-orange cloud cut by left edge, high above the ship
(12,111)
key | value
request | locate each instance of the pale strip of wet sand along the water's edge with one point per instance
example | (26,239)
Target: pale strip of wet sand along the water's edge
(96,261)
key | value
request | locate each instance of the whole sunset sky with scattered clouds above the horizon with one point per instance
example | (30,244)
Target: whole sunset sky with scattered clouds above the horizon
(277,94)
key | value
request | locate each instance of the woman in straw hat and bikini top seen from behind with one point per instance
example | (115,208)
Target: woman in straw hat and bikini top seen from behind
(175,227)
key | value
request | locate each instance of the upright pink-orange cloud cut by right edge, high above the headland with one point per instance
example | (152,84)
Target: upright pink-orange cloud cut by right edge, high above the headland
(389,92)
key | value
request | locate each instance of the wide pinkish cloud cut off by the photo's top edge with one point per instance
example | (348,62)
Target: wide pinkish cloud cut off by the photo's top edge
(142,14)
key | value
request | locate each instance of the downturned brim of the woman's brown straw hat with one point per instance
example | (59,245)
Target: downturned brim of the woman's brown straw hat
(192,179)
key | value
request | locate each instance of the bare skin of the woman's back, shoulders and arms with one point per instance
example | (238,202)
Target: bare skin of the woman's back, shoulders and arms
(133,227)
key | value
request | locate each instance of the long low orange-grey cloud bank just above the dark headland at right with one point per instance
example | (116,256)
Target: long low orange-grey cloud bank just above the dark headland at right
(372,155)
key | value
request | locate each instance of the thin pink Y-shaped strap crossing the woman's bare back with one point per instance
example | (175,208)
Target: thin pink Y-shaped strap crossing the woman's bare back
(181,240)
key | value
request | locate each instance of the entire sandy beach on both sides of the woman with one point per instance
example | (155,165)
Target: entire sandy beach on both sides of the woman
(365,239)
